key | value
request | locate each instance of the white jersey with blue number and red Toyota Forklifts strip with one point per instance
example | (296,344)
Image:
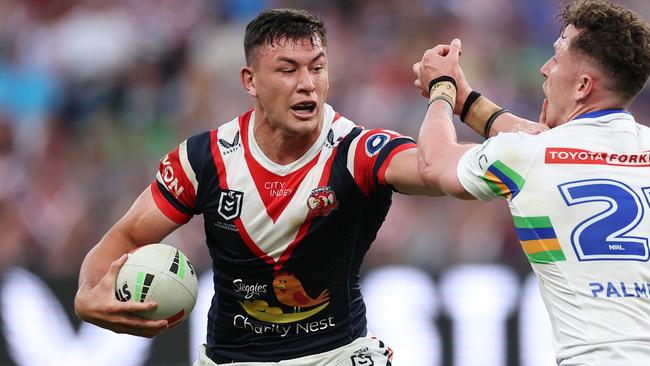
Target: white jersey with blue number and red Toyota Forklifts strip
(579,195)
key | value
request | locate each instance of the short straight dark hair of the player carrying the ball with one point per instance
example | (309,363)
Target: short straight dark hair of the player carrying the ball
(275,25)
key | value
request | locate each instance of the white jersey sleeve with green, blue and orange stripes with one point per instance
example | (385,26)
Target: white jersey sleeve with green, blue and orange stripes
(496,168)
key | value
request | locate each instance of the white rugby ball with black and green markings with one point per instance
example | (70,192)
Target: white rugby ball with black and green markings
(160,273)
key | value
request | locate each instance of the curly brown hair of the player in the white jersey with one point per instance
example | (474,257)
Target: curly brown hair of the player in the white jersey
(615,38)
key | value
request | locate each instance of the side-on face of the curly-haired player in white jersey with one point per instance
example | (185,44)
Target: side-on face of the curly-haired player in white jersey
(562,78)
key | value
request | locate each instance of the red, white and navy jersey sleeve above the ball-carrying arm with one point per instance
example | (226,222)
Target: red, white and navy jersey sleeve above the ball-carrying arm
(176,187)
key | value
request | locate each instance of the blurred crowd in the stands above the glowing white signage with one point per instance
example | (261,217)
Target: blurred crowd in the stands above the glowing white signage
(93,93)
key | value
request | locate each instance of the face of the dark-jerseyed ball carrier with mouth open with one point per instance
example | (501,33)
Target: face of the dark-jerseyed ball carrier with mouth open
(290,82)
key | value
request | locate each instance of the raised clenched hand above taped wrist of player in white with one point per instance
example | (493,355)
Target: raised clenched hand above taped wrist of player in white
(441,60)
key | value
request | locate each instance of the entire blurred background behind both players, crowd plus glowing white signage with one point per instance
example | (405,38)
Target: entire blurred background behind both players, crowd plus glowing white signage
(93,93)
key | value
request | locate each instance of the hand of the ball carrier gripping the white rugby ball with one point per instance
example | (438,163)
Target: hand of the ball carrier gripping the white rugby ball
(99,306)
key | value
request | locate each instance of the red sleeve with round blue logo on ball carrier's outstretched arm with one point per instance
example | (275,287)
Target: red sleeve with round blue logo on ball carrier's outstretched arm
(370,154)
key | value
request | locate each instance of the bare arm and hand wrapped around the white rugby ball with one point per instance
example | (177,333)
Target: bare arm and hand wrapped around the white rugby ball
(95,300)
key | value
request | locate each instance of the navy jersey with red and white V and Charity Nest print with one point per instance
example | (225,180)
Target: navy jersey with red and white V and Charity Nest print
(287,241)
